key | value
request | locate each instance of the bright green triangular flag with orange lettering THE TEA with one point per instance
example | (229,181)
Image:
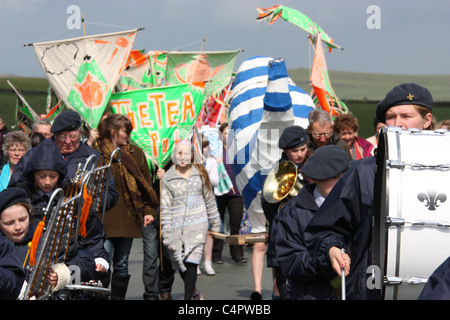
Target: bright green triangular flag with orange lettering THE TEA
(161,116)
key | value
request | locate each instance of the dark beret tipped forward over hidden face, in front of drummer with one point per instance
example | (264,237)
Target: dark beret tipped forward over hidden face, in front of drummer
(326,162)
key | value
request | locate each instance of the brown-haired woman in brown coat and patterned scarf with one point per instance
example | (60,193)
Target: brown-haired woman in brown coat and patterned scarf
(137,202)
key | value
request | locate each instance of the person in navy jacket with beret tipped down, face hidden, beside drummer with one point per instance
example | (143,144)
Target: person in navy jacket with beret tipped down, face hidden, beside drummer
(323,168)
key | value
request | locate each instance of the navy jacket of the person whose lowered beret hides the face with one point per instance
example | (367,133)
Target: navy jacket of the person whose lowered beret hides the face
(305,280)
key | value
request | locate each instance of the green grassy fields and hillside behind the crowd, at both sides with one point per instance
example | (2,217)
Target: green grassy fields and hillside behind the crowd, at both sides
(361,93)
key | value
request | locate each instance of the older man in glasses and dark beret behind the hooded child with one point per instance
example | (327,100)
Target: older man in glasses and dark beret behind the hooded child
(66,131)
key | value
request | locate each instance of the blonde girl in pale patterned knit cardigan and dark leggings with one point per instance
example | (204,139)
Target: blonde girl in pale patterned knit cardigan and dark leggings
(187,206)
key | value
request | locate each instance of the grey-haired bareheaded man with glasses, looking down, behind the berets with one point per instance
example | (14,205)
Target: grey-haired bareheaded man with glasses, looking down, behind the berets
(321,133)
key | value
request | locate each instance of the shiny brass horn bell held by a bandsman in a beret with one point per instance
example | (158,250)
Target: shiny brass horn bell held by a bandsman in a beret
(281,182)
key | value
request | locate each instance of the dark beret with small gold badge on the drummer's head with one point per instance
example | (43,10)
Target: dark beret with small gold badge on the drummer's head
(406,93)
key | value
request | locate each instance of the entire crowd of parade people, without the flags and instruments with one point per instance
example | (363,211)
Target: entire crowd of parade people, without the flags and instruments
(311,237)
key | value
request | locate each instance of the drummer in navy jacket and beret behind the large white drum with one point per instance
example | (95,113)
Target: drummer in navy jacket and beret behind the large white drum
(344,219)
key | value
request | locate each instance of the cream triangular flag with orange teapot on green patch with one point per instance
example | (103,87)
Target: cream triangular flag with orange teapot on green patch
(83,71)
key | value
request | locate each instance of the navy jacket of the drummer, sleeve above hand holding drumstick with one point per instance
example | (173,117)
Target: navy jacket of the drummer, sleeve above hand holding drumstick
(344,220)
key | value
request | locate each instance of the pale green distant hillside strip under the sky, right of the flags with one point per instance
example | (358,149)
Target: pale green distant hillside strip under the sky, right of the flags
(373,86)
